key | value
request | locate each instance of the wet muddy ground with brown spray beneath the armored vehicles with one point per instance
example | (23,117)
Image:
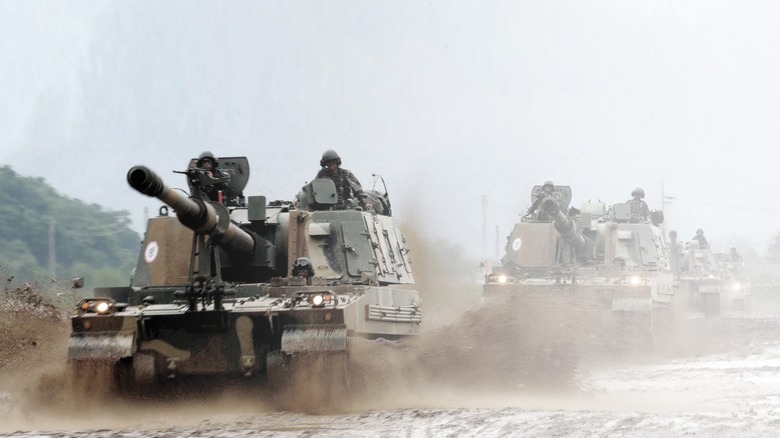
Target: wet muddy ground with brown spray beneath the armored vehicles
(712,377)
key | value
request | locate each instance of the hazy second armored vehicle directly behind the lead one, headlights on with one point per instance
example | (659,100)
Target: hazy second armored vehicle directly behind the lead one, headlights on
(598,274)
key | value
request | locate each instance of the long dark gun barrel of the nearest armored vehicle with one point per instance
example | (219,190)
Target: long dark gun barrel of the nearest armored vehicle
(197,215)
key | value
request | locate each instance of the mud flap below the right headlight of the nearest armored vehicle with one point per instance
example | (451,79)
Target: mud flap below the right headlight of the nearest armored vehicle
(314,338)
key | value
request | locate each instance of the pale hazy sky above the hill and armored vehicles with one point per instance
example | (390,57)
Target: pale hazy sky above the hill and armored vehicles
(449,100)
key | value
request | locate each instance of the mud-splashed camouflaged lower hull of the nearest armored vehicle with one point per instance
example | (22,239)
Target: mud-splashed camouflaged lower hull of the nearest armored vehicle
(148,344)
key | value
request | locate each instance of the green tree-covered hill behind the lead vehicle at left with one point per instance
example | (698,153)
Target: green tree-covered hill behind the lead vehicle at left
(45,234)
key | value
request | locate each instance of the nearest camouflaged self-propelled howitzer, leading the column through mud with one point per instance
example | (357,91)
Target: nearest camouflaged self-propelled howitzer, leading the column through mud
(213,292)
